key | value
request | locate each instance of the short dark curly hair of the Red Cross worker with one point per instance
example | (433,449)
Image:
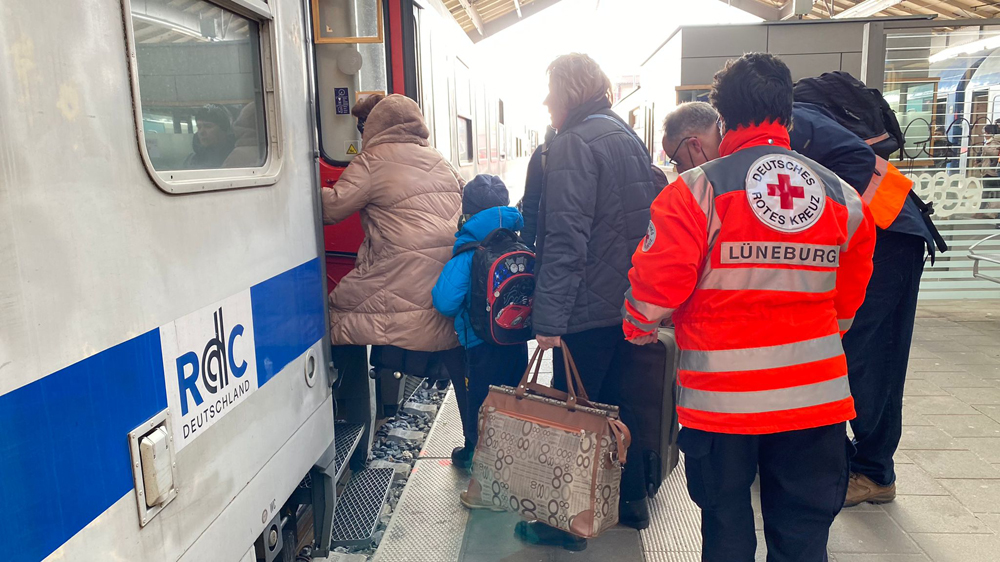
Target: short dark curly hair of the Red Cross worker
(753,89)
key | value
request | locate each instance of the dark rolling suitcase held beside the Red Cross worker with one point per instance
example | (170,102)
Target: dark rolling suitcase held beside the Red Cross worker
(649,378)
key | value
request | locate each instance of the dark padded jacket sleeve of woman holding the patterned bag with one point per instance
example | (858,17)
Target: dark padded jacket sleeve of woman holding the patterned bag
(570,197)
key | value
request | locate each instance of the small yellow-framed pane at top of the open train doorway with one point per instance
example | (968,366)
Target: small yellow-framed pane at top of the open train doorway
(347,21)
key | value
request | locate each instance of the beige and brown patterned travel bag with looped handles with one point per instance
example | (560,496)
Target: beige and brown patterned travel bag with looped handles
(549,455)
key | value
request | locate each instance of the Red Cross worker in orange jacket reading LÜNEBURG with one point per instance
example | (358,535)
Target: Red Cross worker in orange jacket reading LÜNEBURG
(760,258)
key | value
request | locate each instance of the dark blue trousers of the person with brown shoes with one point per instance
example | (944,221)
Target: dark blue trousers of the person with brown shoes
(878,347)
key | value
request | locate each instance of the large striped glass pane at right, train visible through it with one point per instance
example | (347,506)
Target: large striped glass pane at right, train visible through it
(944,85)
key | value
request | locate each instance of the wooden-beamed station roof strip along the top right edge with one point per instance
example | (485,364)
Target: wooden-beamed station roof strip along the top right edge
(775,10)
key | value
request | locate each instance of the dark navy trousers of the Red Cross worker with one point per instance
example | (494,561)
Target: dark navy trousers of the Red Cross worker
(803,483)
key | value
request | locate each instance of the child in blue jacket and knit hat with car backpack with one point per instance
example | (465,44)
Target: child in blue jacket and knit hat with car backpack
(487,249)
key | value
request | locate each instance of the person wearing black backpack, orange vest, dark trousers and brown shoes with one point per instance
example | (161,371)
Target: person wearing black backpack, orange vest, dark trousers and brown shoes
(878,344)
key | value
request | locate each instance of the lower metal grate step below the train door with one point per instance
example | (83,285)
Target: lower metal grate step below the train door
(359,508)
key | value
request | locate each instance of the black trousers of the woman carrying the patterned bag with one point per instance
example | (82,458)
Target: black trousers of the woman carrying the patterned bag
(599,355)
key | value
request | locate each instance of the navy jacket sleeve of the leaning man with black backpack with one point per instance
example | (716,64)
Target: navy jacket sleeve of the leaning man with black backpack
(817,136)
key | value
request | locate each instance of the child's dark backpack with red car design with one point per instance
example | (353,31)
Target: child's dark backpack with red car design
(503,288)
